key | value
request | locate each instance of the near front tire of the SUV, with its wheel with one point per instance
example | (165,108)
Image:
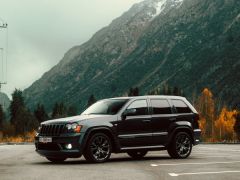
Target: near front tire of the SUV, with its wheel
(98,148)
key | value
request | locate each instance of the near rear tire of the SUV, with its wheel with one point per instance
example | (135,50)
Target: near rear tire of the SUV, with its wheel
(181,146)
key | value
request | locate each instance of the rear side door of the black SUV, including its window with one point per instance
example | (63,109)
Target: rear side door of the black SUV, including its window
(161,119)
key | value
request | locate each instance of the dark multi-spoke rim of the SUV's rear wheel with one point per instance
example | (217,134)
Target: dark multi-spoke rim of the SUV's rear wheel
(183,145)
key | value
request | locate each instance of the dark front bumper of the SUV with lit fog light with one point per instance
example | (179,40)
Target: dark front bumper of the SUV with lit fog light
(57,148)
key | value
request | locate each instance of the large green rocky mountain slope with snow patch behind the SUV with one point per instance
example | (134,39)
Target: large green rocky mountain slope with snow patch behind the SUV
(190,44)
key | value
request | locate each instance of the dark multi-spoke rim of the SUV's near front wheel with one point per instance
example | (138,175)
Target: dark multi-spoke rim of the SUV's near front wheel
(100,148)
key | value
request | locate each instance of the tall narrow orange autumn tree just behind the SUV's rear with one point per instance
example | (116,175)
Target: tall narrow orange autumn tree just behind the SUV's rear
(206,109)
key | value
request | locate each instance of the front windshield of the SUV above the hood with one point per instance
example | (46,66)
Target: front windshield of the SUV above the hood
(110,107)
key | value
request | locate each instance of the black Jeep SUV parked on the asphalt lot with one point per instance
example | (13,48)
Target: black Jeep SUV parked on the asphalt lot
(134,125)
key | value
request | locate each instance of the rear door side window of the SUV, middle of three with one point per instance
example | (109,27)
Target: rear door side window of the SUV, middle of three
(160,106)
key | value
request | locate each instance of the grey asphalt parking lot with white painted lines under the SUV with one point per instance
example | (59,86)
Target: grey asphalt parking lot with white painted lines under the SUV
(221,162)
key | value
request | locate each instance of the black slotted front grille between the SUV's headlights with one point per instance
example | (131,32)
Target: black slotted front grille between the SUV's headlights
(52,129)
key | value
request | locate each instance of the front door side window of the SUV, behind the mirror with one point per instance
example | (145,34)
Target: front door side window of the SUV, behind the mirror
(140,106)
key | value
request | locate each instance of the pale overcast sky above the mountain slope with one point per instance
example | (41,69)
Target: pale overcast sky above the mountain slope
(41,31)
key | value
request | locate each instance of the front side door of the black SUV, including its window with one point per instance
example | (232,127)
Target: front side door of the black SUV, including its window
(135,129)
